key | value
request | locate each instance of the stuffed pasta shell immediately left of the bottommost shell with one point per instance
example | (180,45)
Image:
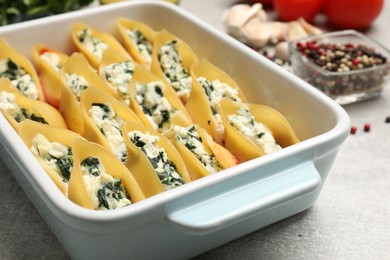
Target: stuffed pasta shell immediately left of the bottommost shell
(52,147)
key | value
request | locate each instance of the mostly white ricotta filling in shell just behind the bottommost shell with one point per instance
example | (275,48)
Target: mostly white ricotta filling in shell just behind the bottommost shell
(110,125)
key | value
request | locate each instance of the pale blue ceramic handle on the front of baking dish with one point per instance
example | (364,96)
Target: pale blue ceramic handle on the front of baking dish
(245,201)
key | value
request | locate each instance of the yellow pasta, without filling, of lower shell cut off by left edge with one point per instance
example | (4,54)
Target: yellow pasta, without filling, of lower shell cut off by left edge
(44,110)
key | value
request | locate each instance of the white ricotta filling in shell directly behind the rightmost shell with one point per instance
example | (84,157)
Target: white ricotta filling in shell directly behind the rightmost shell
(215,91)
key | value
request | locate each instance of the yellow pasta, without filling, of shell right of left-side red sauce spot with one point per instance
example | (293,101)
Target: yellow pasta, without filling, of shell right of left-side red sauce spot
(69,105)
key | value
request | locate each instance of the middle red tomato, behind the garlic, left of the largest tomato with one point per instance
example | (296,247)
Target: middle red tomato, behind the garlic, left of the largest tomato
(289,10)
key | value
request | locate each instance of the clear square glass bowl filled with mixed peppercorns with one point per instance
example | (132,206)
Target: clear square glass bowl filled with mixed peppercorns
(342,69)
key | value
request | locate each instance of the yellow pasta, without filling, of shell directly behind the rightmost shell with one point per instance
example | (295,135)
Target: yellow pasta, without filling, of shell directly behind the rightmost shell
(198,105)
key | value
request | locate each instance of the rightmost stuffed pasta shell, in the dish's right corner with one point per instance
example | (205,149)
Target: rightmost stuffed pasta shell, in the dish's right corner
(253,130)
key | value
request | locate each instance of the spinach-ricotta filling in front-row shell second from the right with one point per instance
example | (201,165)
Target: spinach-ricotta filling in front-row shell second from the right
(190,138)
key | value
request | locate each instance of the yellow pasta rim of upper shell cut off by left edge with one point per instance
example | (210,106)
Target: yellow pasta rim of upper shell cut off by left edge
(7,52)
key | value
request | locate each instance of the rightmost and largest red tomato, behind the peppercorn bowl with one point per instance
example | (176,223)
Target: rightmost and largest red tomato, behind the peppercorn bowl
(352,14)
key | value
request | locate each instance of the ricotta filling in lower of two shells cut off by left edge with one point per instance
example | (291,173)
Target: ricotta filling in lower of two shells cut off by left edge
(9,106)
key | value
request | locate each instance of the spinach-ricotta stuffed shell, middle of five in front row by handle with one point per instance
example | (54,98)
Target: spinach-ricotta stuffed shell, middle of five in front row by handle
(153,160)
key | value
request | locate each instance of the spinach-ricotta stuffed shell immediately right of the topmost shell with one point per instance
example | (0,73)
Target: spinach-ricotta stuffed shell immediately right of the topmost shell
(171,60)
